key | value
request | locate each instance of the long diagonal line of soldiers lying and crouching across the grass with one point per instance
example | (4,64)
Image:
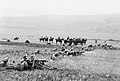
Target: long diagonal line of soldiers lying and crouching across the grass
(30,62)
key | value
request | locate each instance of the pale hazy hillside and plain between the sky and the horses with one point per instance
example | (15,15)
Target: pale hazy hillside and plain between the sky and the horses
(93,26)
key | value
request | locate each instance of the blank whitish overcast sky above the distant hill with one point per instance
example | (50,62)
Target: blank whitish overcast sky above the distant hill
(58,7)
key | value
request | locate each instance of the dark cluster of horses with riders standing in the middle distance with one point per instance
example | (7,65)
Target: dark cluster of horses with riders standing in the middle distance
(68,40)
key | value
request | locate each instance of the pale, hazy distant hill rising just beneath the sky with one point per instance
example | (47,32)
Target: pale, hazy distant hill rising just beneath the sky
(108,24)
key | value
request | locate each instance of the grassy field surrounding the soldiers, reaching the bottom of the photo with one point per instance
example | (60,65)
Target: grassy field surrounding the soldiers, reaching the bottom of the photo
(98,65)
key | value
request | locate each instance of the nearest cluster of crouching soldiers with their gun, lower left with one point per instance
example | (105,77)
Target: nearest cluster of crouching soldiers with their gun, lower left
(26,63)
